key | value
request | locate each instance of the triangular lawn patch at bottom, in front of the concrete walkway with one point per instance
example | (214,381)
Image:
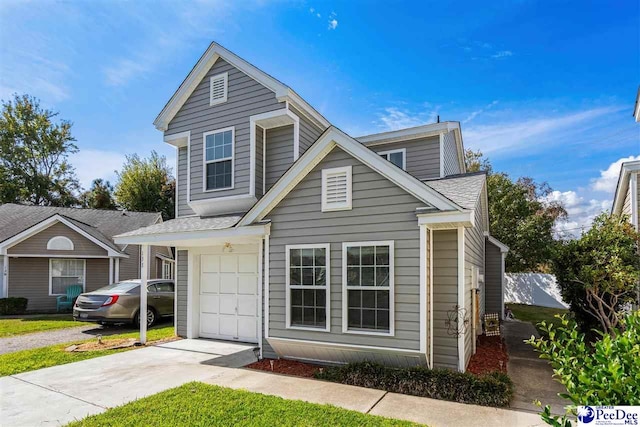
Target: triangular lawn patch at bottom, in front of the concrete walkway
(198,404)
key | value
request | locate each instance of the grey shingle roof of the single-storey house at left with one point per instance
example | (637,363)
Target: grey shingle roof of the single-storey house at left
(101,224)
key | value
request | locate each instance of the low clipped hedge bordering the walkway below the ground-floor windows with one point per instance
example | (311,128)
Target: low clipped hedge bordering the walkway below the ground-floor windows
(495,389)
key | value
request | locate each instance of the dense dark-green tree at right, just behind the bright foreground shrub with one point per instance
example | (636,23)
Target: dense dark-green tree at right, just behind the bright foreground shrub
(598,273)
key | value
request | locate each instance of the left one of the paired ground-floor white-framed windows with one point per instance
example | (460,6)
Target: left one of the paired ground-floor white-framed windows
(307,283)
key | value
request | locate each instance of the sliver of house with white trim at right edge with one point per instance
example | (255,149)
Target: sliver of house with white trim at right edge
(627,197)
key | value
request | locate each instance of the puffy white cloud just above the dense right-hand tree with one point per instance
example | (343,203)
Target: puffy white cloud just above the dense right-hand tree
(581,211)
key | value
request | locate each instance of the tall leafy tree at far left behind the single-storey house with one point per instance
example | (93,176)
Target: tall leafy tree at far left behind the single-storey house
(34,151)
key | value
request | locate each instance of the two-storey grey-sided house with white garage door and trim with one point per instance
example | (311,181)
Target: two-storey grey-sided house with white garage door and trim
(317,246)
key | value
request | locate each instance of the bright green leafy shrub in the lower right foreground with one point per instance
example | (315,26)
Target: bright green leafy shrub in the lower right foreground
(605,373)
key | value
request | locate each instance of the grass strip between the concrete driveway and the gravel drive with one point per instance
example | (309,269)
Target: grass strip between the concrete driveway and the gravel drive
(44,357)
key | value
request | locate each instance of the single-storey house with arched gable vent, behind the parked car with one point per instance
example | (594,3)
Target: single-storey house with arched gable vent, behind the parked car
(45,249)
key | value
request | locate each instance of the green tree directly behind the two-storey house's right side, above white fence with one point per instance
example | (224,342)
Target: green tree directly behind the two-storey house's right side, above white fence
(520,216)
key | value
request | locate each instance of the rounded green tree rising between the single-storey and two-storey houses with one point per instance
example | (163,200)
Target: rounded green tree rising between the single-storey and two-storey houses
(146,185)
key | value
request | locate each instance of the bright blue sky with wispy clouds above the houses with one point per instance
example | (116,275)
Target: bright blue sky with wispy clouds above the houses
(545,89)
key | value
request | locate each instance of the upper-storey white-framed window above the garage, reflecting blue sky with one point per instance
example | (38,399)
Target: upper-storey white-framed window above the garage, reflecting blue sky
(218,159)
